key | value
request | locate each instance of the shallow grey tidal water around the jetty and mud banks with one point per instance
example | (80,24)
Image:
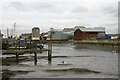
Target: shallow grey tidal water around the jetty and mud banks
(66,56)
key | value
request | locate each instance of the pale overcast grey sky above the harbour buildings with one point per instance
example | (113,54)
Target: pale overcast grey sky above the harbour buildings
(58,14)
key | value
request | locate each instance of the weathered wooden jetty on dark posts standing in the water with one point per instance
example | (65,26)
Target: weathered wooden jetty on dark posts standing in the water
(35,51)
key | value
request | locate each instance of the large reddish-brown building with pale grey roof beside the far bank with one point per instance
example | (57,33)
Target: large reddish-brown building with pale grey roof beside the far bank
(89,33)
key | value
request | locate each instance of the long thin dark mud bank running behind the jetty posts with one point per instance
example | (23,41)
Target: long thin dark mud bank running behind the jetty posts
(7,61)
